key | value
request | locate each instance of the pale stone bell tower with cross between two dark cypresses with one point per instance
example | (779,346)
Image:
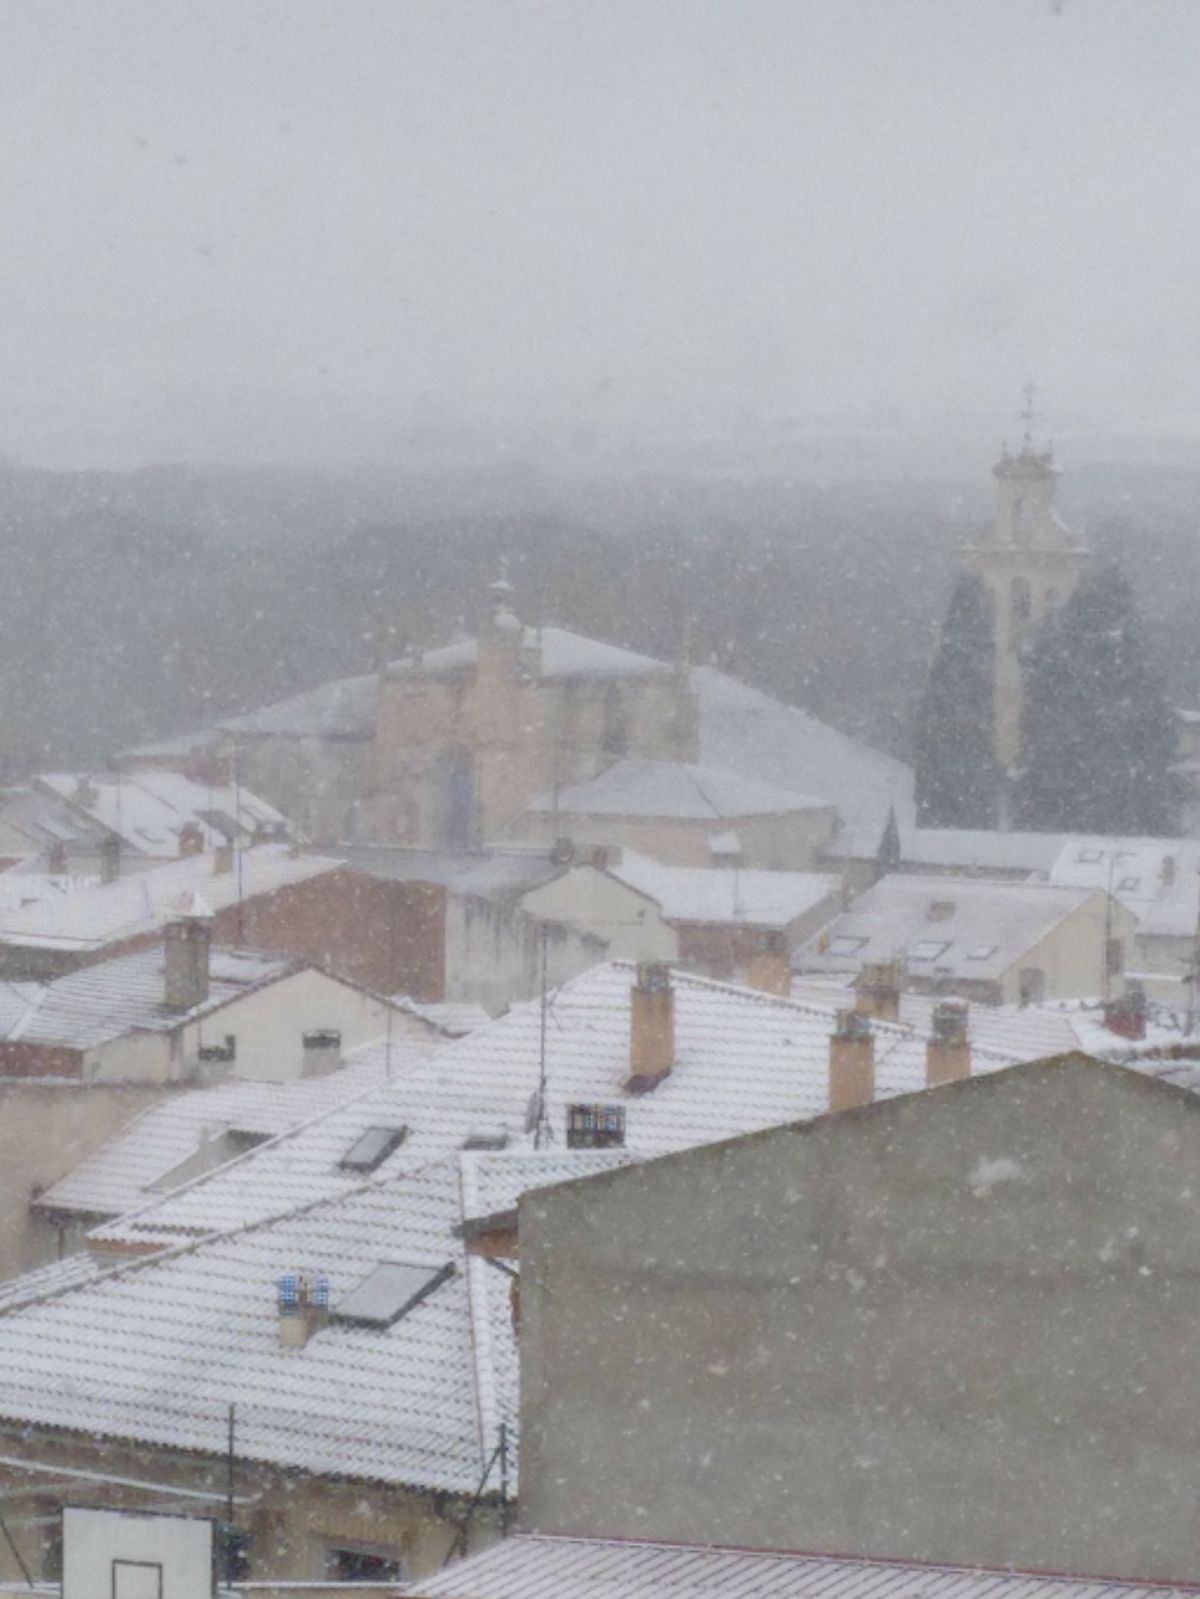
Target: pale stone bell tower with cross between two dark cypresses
(1031,564)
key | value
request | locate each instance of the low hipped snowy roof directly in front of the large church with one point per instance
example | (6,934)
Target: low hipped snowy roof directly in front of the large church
(674,789)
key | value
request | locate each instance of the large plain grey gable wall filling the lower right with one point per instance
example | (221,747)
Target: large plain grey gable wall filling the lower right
(953,1328)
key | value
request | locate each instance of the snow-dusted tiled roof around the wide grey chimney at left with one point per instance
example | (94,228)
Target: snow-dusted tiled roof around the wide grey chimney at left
(126,995)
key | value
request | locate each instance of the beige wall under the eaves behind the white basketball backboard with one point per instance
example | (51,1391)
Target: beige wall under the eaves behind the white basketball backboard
(294,1525)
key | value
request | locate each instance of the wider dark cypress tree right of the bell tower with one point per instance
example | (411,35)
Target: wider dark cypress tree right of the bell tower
(1097,735)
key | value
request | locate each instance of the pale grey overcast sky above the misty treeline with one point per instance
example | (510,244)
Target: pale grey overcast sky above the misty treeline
(286,229)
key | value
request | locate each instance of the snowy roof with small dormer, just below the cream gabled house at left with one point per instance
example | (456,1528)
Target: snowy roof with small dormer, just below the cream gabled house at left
(137,1163)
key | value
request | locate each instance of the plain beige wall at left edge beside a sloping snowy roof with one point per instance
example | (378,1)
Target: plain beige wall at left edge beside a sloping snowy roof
(46,1131)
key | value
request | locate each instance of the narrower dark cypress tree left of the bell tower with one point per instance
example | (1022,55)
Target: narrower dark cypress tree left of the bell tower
(958,780)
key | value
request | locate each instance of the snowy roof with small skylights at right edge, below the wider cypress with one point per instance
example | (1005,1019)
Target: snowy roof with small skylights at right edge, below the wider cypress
(1159,879)
